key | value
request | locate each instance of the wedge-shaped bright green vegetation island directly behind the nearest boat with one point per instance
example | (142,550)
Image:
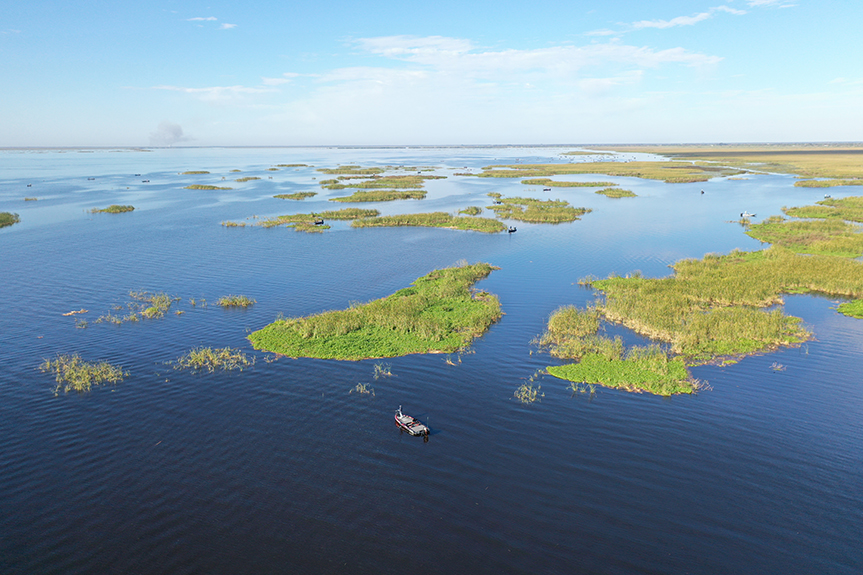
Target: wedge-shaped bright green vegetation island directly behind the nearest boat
(440,313)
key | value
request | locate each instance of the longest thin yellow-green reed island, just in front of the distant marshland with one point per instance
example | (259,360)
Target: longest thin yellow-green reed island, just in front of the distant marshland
(670,172)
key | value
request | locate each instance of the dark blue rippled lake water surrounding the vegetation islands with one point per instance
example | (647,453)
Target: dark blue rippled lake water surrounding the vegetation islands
(279,468)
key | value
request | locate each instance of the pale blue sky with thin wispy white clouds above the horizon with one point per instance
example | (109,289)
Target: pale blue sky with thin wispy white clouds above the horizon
(449,72)
